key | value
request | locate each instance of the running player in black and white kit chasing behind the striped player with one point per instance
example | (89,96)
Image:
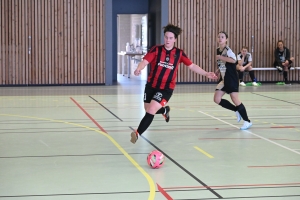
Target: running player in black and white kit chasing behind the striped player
(229,82)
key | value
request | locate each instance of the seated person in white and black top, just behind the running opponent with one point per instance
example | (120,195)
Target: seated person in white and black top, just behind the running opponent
(244,63)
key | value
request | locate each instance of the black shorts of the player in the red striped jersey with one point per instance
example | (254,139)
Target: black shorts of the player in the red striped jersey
(158,95)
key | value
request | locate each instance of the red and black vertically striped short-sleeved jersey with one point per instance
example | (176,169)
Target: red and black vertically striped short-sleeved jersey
(164,66)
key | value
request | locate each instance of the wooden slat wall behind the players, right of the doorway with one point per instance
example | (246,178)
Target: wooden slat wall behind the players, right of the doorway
(267,21)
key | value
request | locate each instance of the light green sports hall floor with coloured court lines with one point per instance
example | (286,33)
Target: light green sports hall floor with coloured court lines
(72,142)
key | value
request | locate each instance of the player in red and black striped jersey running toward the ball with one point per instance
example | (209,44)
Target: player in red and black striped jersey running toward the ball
(164,61)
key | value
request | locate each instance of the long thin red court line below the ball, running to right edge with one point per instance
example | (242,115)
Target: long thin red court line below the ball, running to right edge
(231,186)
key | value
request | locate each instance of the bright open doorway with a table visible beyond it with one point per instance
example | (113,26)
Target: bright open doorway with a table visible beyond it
(132,36)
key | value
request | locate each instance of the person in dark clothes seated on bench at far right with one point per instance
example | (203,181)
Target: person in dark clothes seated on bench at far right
(283,59)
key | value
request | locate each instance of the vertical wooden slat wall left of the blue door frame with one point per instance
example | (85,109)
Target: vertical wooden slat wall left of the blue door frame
(67,42)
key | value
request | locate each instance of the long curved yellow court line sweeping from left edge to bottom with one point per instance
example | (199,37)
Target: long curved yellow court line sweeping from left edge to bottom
(147,176)
